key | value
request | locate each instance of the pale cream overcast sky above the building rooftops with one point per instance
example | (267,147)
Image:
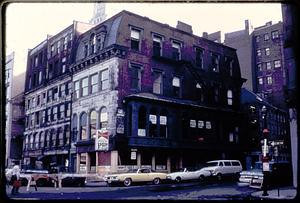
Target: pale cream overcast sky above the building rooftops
(27,24)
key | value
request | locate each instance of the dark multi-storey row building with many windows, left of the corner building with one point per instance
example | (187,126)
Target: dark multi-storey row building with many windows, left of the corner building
(48,100)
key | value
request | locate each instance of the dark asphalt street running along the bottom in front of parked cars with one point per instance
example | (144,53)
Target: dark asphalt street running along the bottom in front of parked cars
(226,190)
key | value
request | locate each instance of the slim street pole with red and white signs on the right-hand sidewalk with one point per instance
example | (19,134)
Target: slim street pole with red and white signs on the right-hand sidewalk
(265,157)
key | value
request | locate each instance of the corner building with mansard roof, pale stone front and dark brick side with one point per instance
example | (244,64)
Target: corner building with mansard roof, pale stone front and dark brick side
(166,98)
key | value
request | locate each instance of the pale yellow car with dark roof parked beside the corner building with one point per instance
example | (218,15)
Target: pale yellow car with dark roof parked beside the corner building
(139,175)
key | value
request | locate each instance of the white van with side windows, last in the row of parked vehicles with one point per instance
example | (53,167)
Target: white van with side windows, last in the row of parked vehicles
(220,168)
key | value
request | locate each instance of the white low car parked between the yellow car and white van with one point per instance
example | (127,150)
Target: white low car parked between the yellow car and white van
(188,174)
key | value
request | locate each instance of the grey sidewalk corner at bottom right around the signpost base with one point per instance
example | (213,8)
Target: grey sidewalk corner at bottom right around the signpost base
(284,193)
